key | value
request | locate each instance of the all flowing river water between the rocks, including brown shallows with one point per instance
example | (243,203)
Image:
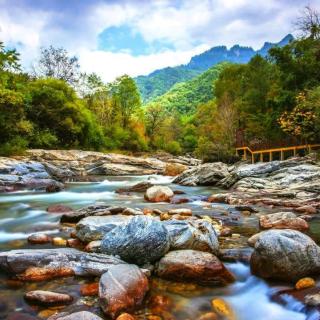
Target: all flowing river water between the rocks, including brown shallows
(23,213)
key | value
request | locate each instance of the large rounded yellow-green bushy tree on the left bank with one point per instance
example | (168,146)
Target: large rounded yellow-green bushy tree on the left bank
(56,111)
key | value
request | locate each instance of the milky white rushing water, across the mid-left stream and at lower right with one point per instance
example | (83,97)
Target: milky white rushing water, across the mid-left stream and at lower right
(248,296)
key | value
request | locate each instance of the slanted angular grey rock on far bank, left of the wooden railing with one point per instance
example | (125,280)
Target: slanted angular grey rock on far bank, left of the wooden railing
(205,174)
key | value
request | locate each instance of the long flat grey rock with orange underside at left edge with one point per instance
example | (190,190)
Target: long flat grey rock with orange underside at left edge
(44,264)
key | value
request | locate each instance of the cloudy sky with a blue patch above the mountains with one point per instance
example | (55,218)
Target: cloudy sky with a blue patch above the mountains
(138,36)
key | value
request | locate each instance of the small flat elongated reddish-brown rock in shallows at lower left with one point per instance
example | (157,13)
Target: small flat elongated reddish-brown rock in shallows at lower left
(47,298)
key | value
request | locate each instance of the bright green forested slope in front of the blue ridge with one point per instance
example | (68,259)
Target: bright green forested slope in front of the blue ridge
(184,97)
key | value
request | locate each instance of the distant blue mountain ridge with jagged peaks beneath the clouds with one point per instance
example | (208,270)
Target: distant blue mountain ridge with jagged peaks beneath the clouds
(160,81)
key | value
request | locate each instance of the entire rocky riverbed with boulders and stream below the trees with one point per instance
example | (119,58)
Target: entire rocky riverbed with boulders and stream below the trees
(85,235)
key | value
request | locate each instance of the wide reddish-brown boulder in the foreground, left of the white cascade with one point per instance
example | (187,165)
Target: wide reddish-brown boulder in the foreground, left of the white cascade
(189,265)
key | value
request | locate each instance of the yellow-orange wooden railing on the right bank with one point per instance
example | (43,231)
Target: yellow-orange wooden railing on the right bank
(268,154)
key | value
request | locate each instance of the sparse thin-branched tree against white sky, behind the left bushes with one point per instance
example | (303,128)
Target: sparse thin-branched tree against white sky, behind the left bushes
(56,63)
